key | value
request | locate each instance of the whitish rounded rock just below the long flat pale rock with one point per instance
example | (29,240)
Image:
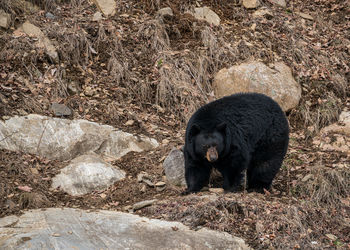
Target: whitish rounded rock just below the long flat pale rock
(85,174)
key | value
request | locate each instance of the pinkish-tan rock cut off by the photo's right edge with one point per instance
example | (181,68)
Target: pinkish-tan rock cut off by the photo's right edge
(335,137)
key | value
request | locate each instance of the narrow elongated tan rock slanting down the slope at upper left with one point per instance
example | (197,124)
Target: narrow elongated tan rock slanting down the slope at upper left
(43,41)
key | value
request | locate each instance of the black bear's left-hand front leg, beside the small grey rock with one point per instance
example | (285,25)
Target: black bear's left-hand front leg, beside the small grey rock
(196,175)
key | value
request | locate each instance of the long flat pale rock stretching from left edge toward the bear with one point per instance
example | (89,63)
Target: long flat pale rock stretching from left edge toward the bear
(63,139)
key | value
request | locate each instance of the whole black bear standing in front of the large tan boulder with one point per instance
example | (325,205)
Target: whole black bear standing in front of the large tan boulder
(246,131)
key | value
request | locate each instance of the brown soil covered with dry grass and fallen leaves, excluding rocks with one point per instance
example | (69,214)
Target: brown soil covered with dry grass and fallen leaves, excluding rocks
(156,73)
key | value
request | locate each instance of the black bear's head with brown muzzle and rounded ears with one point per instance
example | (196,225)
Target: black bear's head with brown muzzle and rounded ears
(208,144)
